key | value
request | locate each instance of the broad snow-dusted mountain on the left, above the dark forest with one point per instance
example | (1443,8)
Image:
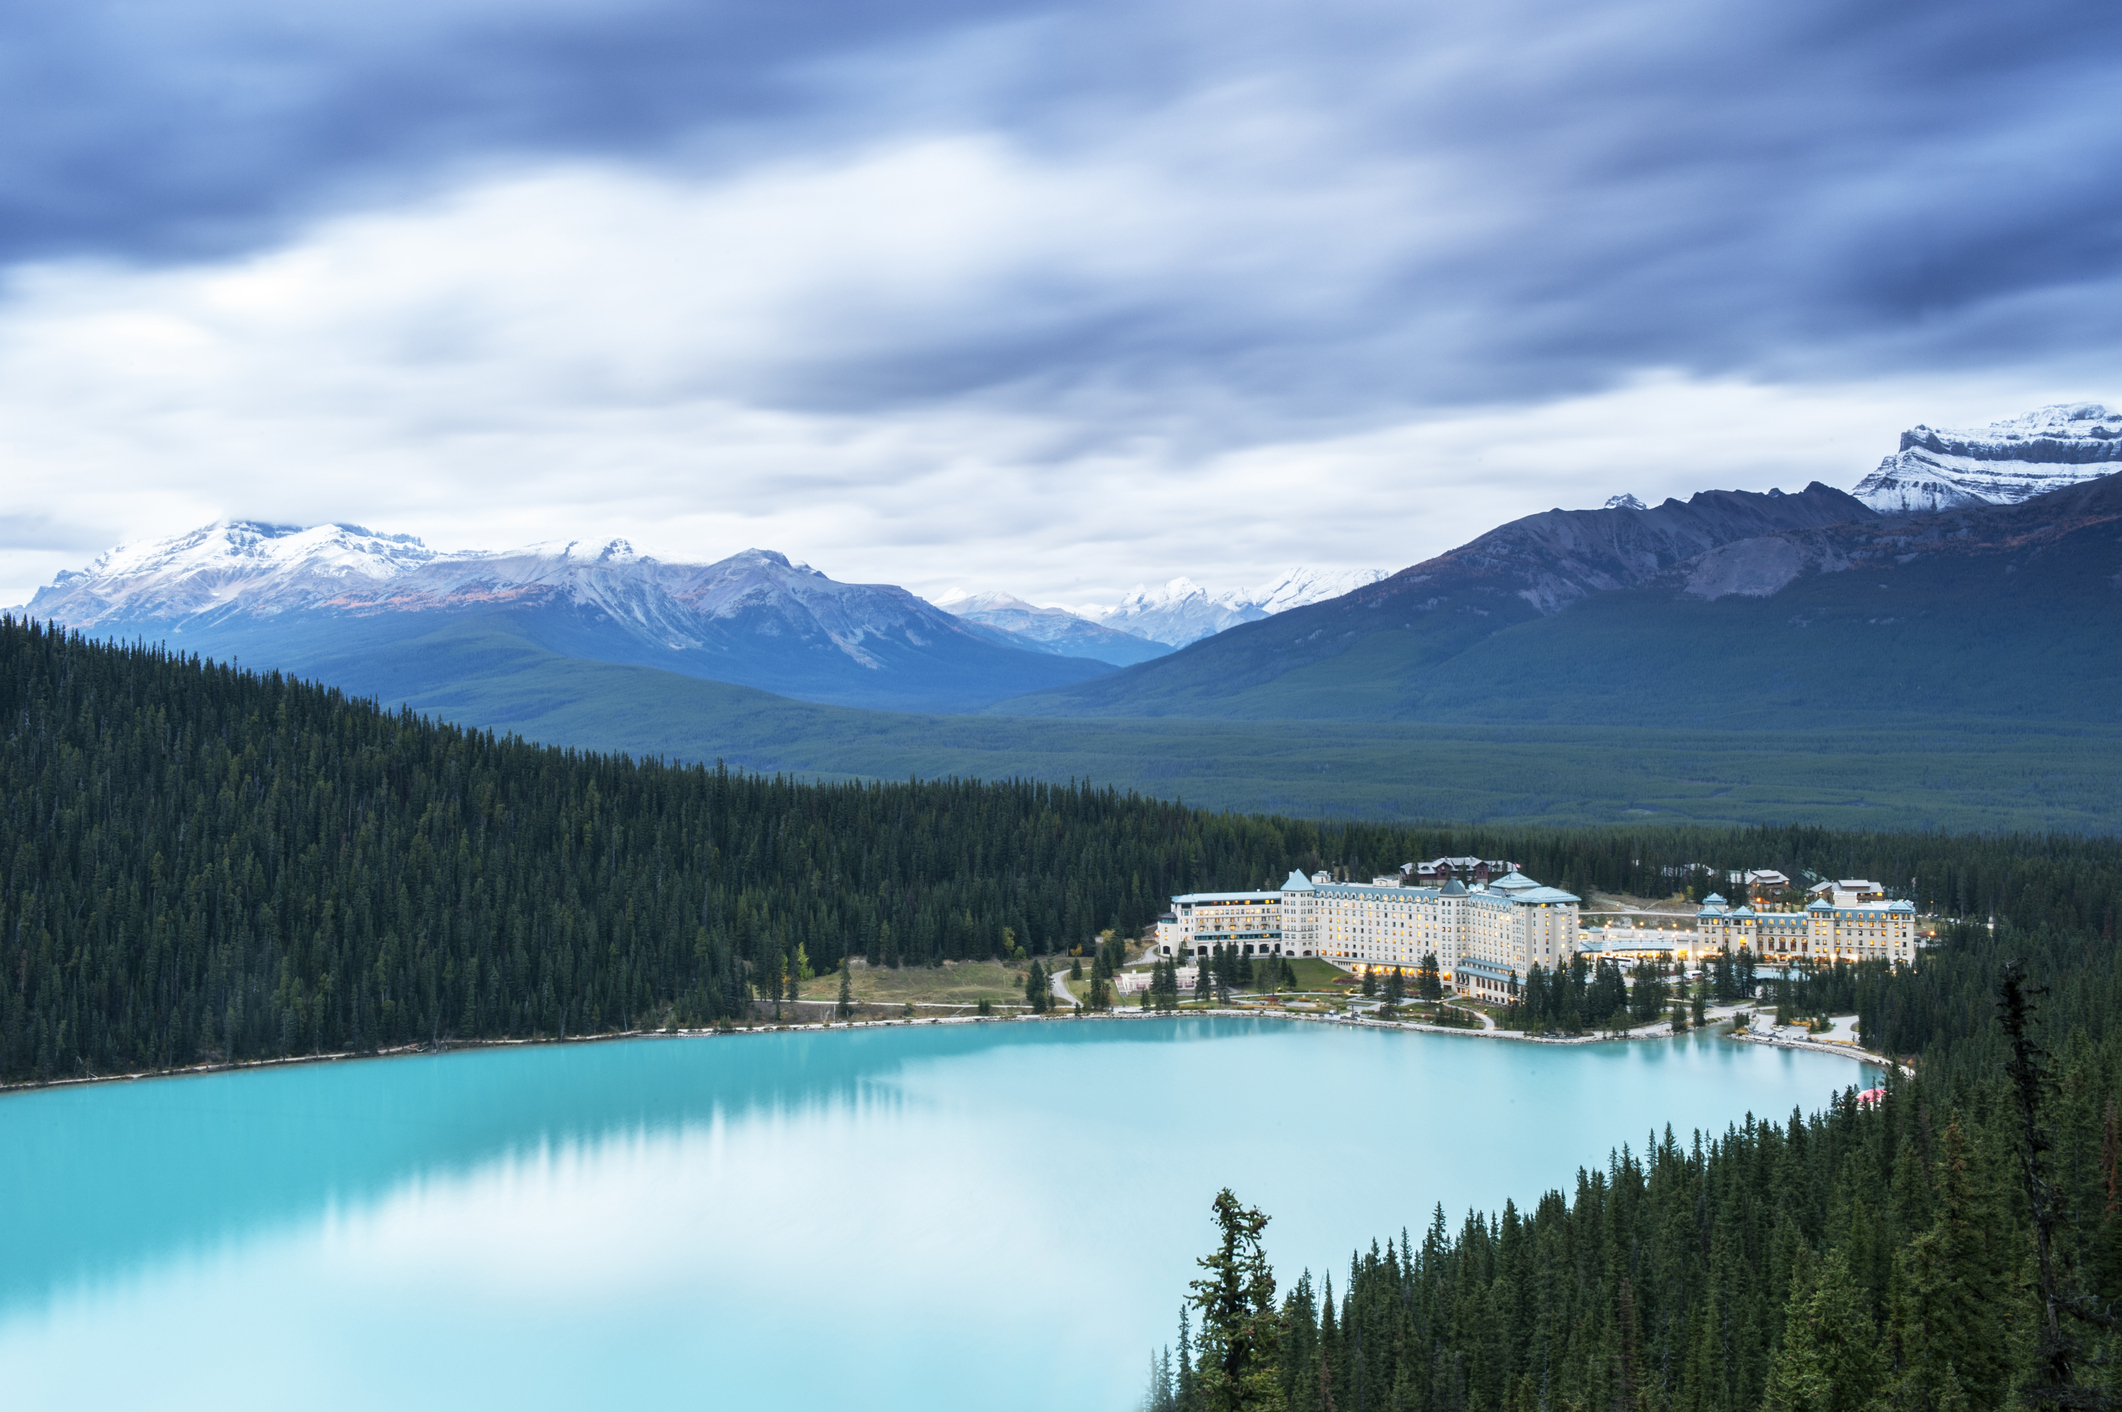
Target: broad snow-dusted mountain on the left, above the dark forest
(300,596)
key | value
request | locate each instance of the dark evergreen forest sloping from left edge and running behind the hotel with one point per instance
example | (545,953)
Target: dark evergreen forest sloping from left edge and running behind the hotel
(215,865)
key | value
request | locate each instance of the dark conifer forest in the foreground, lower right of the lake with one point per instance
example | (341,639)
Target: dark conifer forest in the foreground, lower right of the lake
(1875,1258)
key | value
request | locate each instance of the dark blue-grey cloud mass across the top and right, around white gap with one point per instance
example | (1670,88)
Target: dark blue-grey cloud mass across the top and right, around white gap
(1438,205)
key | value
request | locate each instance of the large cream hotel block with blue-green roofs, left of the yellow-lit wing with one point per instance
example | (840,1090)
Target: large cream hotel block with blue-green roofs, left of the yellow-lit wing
(1484,937)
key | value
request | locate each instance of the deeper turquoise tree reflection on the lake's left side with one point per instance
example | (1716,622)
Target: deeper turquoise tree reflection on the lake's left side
(177,1167)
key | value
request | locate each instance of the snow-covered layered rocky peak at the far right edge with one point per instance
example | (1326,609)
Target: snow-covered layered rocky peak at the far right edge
(2002,464)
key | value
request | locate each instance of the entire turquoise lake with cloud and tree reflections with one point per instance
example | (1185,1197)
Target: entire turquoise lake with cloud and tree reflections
(920,1218)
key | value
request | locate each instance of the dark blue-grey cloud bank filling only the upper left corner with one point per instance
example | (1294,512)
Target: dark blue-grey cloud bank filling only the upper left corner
(198,128)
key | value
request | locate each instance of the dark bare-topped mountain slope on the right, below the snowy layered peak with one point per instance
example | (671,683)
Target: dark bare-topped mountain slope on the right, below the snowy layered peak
(1837,617)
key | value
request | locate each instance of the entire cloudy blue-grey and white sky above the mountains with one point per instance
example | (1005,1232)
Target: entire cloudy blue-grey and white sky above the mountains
(1054,298)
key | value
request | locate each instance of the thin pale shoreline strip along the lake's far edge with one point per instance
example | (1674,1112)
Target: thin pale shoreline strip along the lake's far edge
(402,1052)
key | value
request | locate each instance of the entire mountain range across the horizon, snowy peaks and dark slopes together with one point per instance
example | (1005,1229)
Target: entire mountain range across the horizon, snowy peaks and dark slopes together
(1728,610)
